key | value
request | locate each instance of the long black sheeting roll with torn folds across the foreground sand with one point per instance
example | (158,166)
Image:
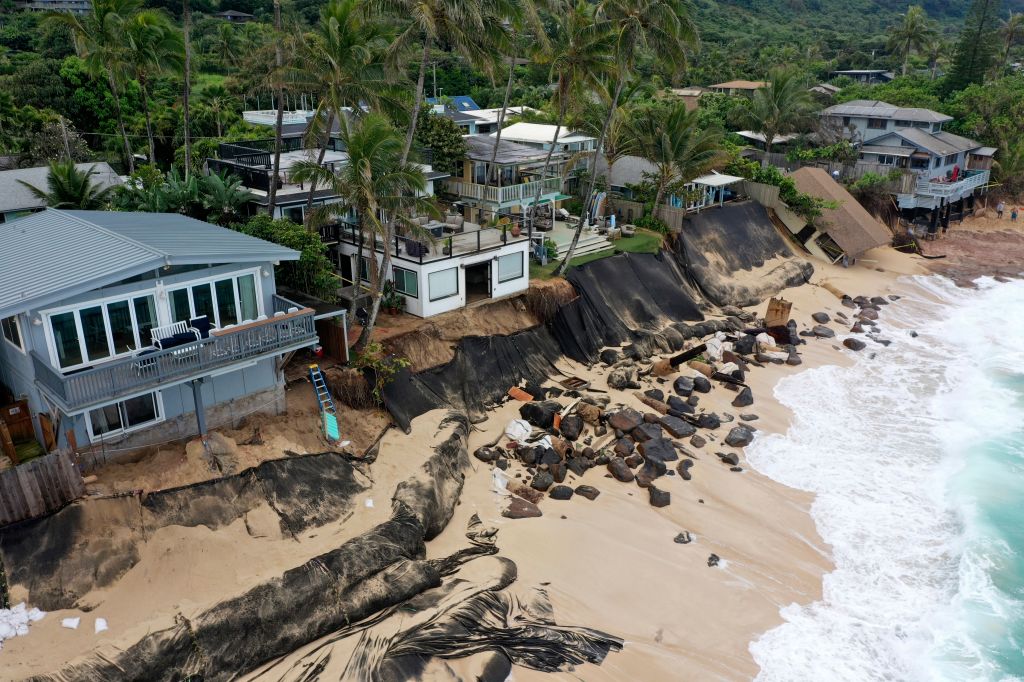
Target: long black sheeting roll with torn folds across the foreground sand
(366,579)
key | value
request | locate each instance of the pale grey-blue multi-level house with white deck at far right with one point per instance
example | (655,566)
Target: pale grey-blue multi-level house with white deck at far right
(940,168)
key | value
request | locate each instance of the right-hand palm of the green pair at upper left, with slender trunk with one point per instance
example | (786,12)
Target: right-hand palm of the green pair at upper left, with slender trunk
(156,48)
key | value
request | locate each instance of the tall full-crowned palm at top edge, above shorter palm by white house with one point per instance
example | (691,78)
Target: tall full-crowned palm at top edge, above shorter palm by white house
(344,58)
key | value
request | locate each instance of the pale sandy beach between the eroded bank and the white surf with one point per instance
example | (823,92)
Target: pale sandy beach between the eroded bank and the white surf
(611,564)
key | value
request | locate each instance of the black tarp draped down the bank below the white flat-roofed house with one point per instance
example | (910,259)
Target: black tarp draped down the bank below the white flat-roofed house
(619,297)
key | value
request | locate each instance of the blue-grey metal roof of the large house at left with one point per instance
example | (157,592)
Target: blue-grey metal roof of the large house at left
(53,255)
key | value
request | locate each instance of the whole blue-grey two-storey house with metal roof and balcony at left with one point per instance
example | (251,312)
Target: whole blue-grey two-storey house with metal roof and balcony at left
(116,323)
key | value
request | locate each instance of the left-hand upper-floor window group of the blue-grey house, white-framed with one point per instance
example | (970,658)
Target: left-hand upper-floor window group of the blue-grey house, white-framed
(103,330)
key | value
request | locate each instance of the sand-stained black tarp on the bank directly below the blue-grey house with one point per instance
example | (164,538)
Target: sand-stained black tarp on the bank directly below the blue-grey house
(90,545)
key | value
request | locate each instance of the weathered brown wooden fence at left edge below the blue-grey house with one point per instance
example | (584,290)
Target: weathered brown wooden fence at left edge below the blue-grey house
(36,488)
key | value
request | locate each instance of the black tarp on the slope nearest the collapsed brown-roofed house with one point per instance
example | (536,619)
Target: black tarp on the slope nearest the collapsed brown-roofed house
(717,246)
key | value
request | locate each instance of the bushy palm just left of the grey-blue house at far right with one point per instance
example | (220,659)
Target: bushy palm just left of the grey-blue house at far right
(784,106)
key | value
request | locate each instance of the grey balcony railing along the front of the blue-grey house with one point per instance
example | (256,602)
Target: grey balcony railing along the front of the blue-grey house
(130,376)
